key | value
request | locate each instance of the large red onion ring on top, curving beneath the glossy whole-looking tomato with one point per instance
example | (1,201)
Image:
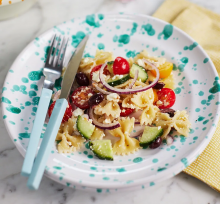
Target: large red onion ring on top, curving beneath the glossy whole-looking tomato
(127,91)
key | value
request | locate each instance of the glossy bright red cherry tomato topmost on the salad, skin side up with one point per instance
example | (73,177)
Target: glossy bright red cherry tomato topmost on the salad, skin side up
(120,66)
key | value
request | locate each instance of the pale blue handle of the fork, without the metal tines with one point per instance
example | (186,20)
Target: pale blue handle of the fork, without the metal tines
(36,131)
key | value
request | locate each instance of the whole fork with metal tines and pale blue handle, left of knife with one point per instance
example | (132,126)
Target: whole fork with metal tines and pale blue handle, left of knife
(52,71)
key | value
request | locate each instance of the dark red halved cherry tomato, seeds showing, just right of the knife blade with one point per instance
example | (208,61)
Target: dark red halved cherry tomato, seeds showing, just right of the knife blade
(80,96)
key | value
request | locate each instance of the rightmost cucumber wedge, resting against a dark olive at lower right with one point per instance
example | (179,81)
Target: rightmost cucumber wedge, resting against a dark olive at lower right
(149,135)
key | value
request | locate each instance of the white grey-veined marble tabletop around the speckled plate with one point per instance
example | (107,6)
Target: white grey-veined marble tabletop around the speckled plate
(15,34)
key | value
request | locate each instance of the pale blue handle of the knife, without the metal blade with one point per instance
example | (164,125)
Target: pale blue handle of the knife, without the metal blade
(46,144)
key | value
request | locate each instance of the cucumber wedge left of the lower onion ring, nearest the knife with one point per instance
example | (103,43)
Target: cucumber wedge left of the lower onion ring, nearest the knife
(84,127)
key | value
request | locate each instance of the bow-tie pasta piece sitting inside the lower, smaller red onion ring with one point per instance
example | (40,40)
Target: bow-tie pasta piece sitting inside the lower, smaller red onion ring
(109,108)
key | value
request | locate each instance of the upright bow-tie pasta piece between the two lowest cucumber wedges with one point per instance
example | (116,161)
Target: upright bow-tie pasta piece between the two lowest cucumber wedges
(126,145)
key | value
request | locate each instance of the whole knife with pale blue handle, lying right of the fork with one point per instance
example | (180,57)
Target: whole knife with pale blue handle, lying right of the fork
(56,118)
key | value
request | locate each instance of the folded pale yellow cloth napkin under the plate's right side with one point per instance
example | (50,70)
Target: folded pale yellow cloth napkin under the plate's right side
(204,26)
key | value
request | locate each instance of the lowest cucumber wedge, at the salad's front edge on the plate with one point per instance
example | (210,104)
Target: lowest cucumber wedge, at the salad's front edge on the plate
(102,149)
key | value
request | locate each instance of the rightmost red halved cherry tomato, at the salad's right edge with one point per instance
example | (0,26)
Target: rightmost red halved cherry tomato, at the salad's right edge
(167,98)
